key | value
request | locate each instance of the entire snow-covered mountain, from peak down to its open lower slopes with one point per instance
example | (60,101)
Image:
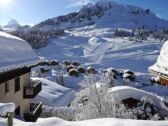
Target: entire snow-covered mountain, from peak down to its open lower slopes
(89,36)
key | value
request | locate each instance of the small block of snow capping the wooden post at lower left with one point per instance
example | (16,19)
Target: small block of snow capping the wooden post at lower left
(6,107)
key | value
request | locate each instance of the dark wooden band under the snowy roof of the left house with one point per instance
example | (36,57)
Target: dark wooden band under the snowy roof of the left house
(13,74)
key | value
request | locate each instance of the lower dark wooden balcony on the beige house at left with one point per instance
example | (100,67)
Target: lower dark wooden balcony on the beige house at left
(34,113)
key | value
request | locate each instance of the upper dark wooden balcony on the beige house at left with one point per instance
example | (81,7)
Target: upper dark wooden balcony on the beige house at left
(32,90)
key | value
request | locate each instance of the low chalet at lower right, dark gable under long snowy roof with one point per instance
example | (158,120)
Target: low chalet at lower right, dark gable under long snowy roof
(131,97)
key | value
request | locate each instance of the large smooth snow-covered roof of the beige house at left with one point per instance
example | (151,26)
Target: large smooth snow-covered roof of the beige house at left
(15,53)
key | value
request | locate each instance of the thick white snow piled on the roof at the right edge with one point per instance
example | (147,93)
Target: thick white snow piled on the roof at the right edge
(161,65)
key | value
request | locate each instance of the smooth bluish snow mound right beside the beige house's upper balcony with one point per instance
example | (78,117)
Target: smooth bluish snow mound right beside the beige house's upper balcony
(53,94)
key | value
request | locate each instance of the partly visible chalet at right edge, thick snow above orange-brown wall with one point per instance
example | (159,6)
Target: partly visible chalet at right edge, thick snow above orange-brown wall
(160,68)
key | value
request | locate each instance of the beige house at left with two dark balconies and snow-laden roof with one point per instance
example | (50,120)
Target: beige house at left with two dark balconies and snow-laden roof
(16,60)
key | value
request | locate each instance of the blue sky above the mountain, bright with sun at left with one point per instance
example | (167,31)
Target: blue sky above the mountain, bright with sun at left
(35,11)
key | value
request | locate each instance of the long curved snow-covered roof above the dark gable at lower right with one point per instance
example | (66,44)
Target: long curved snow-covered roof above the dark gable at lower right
(125,92)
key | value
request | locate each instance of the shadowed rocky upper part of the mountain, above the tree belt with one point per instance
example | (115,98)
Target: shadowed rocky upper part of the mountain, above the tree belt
(106,14)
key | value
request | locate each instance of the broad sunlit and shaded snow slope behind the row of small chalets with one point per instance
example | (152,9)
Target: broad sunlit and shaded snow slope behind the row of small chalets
(97,47)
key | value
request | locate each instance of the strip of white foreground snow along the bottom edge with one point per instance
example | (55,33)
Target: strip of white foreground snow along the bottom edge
(94,122)
